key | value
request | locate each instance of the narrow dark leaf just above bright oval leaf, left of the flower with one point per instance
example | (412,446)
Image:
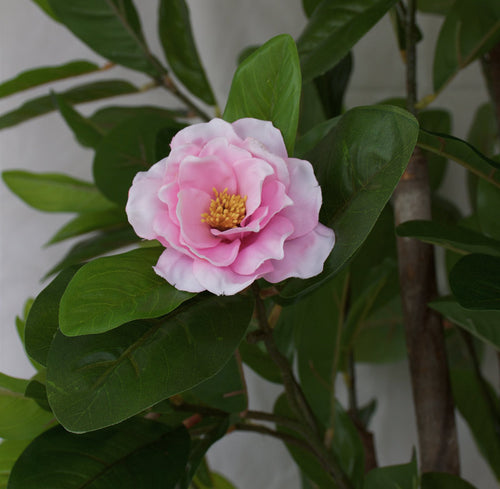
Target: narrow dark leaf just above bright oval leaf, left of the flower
(97,245)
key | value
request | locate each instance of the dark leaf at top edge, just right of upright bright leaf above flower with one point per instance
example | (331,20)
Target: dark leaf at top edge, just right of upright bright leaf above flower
(333,29)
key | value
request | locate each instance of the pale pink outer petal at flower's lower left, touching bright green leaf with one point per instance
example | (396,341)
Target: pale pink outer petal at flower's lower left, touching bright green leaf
(177,269)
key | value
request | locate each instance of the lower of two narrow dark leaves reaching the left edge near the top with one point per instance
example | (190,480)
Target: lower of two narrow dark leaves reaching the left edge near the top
(77,95)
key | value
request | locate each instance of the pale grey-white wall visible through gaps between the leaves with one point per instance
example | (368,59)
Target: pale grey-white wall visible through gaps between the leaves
(222,28)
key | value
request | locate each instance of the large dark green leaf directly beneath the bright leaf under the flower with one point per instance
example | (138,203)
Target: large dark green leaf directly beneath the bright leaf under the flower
(98,380)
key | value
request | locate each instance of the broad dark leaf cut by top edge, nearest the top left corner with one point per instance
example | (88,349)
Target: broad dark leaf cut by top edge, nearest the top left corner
(112,29)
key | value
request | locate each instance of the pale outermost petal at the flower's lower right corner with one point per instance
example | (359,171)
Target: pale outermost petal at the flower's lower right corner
(304,256)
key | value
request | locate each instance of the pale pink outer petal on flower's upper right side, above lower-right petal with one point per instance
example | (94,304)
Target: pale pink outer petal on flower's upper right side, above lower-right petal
(305,192)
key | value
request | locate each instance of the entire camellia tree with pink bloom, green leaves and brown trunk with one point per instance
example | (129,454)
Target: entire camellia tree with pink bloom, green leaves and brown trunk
(262,235)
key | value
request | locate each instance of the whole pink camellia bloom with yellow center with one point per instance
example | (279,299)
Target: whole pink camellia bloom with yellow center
(230,207)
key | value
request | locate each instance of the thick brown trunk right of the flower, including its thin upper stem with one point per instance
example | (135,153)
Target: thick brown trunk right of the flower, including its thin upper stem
(424,333)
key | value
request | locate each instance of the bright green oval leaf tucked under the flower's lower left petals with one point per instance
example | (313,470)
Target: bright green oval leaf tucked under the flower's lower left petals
(108,292)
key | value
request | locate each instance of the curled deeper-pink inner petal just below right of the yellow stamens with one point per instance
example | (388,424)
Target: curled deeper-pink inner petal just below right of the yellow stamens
(263,246)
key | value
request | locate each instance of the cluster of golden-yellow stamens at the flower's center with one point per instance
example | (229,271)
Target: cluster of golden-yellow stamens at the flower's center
(226,211)
